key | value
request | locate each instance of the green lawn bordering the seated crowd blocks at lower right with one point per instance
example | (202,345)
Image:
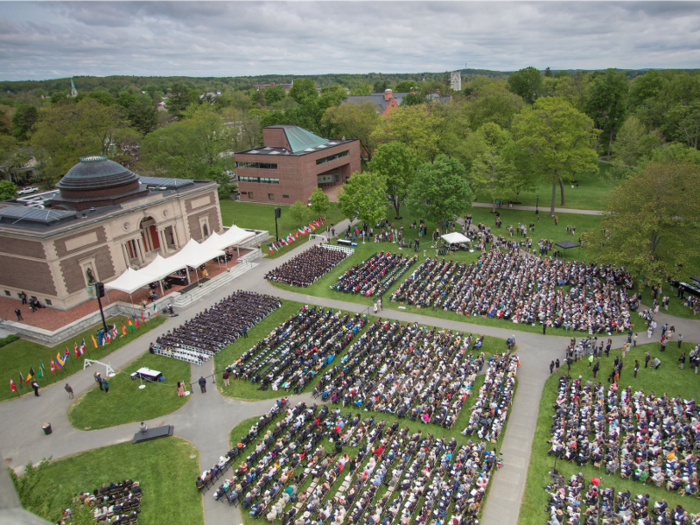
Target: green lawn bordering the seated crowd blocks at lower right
(668,378)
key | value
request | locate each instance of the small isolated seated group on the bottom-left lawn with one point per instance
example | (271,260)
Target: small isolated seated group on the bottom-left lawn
(115,503)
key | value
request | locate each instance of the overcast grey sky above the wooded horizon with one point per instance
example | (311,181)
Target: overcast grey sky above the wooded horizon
(42,39)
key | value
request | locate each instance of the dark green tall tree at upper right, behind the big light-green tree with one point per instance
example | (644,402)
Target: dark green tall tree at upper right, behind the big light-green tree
(607,103)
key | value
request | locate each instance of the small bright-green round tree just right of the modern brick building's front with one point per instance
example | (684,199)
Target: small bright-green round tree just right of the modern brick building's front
(364,197)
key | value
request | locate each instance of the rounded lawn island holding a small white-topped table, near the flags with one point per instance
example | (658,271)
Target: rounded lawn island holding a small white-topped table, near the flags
(125,403)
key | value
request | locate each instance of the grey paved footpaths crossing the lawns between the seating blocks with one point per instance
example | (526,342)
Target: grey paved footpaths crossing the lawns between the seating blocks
(206,420)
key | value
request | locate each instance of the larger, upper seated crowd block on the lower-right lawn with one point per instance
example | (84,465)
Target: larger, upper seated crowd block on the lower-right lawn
(646,438)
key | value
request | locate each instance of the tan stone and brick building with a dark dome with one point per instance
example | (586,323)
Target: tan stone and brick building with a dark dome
(105,219)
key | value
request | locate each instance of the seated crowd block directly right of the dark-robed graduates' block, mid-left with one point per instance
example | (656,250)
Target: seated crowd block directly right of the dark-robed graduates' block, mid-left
(298,349)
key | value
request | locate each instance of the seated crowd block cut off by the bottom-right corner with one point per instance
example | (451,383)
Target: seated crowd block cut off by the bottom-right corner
(571,502)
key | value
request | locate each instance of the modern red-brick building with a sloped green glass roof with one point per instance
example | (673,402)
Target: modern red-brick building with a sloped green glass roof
(292,163)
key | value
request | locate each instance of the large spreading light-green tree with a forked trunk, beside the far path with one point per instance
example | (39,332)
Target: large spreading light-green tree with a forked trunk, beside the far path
(559,139)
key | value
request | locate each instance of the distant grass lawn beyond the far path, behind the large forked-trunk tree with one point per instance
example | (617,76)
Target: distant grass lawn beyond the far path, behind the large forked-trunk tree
(591,193)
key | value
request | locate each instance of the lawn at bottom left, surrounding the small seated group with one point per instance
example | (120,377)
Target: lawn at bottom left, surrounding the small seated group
(166,470)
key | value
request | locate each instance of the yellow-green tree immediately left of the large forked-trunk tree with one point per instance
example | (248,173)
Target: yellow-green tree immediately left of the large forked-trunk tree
(491,167)
